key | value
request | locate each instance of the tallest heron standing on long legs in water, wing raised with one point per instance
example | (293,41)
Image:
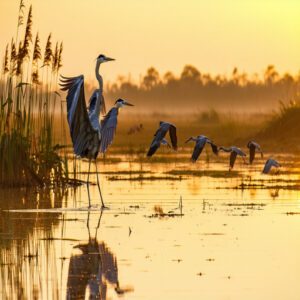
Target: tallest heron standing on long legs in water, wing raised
(85,127)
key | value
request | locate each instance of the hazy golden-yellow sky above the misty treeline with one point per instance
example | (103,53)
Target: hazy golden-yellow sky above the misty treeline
(215,36)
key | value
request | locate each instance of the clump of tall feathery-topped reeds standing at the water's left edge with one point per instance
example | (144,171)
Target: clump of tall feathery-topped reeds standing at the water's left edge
(28,152)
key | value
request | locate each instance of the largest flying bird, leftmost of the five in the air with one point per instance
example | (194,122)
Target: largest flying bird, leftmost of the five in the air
(159,137)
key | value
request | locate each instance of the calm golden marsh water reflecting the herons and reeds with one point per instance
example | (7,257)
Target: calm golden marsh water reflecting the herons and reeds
(237,237)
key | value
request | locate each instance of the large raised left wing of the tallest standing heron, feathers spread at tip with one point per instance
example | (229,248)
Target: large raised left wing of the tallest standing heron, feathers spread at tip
(84,136)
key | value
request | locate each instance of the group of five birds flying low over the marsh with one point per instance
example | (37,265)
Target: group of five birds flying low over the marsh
(201,141)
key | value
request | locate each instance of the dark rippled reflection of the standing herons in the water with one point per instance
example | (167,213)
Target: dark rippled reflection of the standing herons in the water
(94,270)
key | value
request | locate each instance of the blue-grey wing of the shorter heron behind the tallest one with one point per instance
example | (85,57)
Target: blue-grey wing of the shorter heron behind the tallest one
(108,129)
